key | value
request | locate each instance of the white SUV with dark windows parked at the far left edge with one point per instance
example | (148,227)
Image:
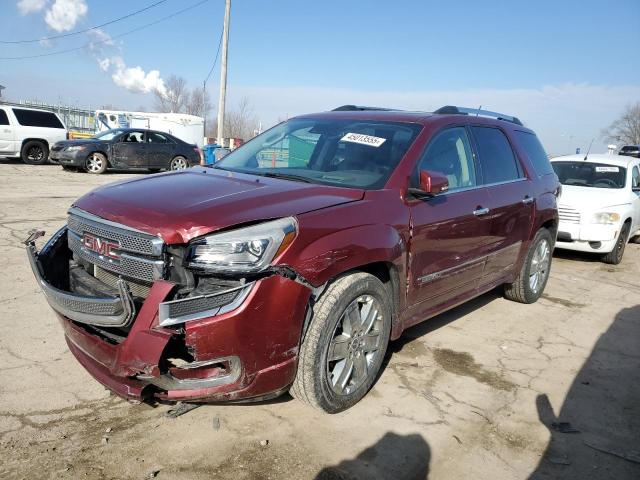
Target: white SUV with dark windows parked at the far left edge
(28,133)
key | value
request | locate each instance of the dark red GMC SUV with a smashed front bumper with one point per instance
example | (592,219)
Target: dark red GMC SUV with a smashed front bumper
(291,263)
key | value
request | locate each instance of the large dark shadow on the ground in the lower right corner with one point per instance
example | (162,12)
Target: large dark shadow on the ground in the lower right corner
(596,433)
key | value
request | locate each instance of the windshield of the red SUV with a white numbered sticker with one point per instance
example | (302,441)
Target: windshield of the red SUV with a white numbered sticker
(348,153)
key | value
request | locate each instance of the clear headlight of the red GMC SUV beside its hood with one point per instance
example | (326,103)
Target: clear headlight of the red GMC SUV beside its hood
(245,250)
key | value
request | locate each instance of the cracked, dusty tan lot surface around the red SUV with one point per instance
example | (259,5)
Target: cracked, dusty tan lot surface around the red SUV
(471,393)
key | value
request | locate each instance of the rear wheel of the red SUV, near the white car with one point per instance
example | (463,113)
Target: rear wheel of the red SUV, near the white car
(534,274)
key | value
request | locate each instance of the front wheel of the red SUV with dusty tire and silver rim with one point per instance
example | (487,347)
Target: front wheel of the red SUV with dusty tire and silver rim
(318,381)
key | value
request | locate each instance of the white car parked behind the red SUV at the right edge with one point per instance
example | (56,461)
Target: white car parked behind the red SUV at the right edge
(599,207)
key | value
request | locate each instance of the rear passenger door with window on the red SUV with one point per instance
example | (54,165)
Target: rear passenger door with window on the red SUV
(511,201)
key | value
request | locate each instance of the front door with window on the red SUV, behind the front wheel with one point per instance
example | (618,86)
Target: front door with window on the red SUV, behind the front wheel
(451,231)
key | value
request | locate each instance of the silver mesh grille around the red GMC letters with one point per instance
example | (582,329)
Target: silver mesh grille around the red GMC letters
(139,254)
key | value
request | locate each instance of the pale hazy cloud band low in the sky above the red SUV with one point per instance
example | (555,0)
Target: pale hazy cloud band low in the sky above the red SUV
(565,116)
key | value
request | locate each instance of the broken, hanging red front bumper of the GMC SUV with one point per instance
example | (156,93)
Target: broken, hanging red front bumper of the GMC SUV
(241,347)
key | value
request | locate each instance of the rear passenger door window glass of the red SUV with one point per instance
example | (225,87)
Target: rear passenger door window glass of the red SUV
(495,155)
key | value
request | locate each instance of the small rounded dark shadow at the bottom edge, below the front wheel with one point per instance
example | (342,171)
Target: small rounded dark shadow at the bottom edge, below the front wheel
(399,457)
